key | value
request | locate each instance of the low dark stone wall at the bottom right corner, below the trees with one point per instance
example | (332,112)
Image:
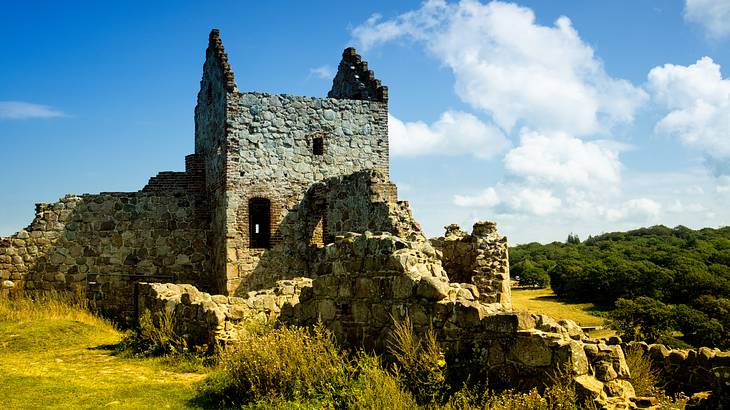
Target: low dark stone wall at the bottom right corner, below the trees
(689,370)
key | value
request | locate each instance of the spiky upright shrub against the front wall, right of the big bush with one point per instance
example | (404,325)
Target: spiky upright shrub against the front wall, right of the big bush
(419,363)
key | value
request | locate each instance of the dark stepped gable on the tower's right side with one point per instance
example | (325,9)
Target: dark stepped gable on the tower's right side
(355,81)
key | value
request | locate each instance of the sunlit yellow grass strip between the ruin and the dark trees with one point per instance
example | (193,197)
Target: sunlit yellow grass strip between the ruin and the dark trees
(544,301)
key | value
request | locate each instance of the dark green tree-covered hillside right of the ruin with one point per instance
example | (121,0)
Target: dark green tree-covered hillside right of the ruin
(661,281)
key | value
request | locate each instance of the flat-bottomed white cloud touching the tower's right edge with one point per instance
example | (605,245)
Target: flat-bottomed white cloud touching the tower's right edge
(454,133)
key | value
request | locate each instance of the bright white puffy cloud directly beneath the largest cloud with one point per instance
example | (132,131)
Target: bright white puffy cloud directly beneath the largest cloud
(565,160)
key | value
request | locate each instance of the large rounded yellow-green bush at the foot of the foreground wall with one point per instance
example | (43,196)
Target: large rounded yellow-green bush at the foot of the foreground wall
(280,364)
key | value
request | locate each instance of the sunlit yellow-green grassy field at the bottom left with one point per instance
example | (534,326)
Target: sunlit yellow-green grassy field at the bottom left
(60,357)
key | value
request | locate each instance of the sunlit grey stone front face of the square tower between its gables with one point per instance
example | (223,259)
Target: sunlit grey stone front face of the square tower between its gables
(272,147)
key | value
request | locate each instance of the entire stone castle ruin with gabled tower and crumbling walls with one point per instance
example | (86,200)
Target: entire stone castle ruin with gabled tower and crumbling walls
(286,212)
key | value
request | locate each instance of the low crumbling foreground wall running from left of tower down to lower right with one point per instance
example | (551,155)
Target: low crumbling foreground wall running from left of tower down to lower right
(368,281)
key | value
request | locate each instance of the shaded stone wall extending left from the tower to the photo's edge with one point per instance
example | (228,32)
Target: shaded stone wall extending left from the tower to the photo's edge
(99,244)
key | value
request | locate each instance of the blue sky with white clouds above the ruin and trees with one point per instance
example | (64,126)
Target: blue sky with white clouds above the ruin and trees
(549,118)
